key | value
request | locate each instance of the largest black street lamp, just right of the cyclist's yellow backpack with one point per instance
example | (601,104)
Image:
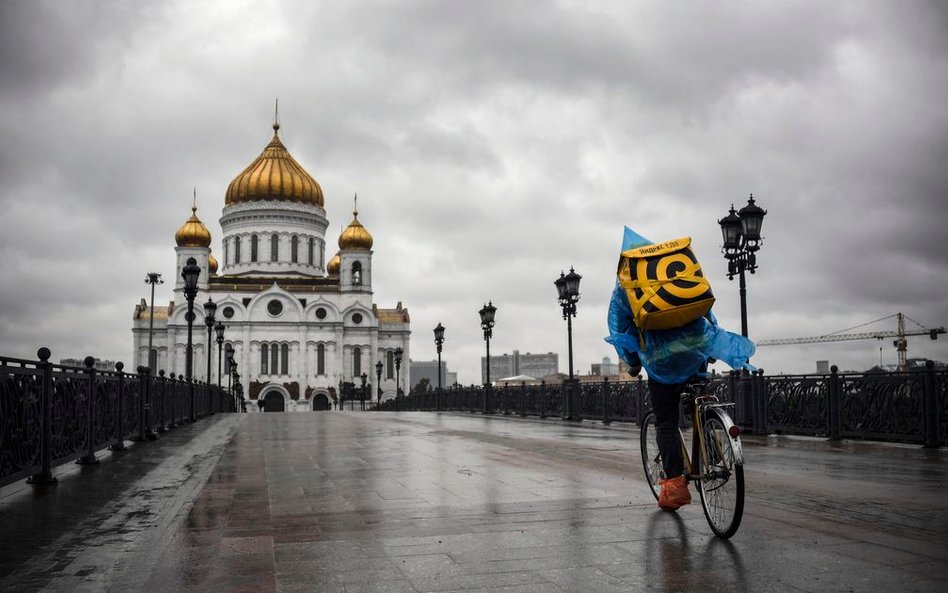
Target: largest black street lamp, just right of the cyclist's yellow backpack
(742,239)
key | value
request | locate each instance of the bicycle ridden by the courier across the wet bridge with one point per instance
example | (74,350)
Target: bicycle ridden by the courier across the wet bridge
(716,462)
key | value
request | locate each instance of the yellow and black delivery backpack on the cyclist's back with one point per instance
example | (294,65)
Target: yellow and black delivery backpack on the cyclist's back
(664,284)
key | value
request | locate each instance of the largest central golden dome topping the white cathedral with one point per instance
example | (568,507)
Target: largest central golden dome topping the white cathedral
(274,175)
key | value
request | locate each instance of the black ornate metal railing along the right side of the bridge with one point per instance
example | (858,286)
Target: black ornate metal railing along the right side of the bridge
(909,406)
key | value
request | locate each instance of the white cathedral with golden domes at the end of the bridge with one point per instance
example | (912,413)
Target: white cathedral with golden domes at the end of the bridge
(300,327)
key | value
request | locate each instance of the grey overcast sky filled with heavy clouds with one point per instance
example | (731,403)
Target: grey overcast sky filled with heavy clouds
(492,145)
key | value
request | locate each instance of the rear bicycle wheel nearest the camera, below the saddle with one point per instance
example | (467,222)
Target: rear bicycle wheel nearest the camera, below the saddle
(722,478)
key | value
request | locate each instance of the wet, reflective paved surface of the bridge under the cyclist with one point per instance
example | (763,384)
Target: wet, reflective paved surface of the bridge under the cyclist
(452,502)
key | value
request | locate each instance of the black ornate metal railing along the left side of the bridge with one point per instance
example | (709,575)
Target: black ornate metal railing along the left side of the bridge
(51,414)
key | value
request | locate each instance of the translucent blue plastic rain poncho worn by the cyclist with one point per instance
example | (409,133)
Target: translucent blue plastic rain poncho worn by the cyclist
(671,355)
